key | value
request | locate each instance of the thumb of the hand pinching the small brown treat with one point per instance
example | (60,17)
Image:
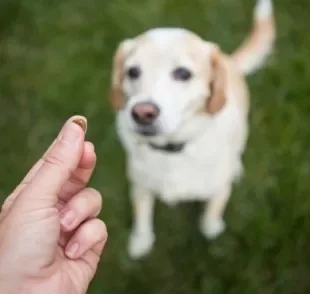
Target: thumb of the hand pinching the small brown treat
(57,166)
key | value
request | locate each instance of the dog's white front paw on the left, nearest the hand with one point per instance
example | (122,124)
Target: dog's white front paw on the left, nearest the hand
(140,244)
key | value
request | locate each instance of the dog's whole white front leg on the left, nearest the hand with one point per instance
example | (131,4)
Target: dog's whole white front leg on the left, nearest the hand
(142,235)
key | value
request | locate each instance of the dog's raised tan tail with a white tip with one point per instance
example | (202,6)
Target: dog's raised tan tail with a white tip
(254,50)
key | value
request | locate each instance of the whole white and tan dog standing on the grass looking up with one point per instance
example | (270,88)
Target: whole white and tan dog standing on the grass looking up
(182,116)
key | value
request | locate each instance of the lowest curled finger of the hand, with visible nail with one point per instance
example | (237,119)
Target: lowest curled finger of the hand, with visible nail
(91,235)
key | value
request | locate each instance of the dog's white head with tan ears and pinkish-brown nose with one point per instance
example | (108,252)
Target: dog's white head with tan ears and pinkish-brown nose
(165,77)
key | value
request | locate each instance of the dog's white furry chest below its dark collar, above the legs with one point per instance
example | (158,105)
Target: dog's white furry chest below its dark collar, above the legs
(194,173)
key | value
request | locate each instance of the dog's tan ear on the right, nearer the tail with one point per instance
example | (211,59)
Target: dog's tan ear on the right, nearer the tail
(217,82)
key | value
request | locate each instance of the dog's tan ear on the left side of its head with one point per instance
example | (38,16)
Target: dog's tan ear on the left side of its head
(119,57)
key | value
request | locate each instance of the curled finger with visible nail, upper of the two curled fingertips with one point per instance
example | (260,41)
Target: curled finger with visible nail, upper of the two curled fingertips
(84,205)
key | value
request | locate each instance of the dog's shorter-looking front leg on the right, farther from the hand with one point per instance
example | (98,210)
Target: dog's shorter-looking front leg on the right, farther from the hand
(212,223)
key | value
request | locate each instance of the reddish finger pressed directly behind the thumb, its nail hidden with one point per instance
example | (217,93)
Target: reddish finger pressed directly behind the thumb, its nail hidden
(81,175)
